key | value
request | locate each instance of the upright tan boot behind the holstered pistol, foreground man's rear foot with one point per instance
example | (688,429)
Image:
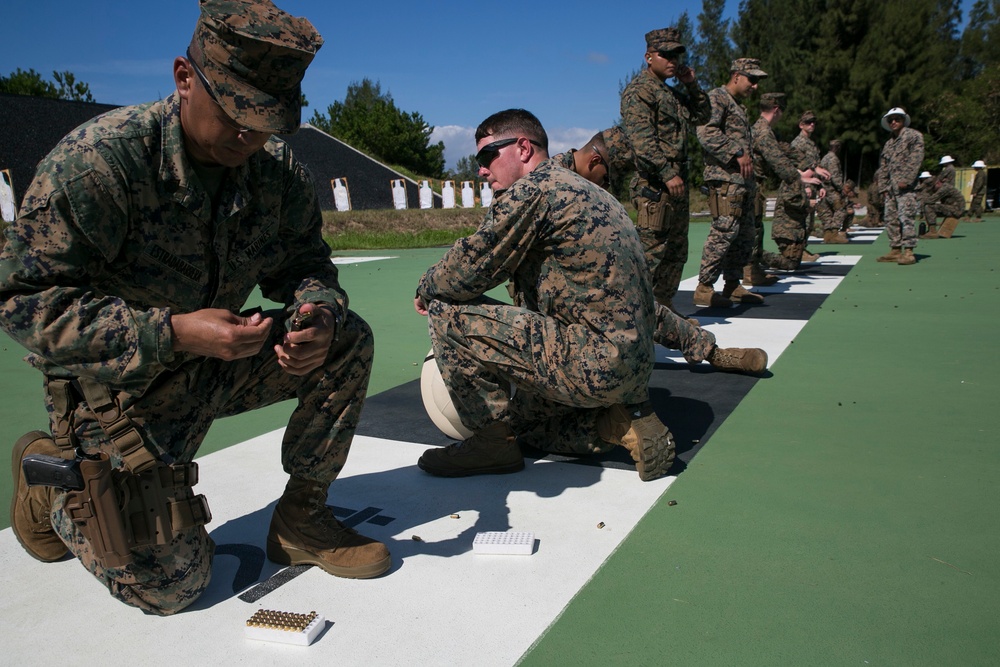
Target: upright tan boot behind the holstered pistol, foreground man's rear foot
(31,506)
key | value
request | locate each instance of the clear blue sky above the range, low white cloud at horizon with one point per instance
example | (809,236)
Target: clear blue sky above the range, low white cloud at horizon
(454,63)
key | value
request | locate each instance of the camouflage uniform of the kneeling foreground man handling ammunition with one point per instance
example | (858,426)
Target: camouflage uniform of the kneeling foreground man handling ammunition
(117,234)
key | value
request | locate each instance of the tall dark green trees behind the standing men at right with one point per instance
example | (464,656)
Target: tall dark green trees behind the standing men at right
(850,61)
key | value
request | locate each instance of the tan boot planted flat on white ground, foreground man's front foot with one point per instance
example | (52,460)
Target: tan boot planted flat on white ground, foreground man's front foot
(305,532)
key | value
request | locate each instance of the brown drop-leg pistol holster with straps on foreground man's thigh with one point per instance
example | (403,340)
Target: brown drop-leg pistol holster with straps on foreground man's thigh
(144,503)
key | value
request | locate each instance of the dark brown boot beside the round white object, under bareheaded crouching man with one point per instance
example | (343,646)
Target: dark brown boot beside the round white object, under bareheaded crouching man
(490,451)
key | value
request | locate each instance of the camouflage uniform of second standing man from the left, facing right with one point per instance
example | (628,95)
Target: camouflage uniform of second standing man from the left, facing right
(726,135)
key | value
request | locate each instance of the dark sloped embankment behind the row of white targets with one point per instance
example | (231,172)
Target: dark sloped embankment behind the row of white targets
(30,127)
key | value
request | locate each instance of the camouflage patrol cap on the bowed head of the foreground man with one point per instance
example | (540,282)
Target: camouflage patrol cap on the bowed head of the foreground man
(253,56)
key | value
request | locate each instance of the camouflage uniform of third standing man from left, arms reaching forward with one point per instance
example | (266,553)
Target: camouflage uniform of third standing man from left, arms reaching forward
(787,229)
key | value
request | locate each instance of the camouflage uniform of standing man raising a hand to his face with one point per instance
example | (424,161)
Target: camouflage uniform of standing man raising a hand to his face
(657,120)
